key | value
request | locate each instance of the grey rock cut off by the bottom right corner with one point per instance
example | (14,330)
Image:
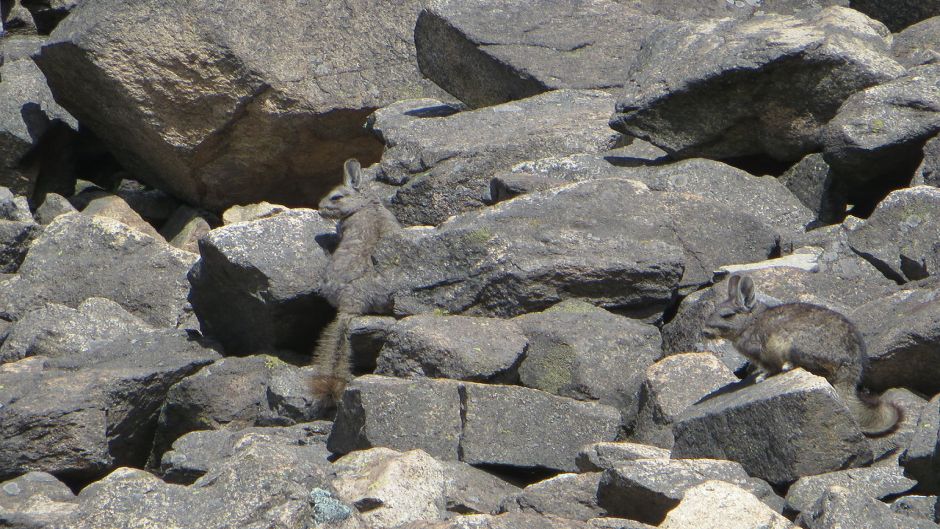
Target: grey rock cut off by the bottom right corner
(841,507)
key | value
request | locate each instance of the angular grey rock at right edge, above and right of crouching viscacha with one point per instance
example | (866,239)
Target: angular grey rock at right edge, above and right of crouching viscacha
(900,236)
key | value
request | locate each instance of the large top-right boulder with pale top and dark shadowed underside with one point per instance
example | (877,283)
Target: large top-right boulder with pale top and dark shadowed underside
(767,84)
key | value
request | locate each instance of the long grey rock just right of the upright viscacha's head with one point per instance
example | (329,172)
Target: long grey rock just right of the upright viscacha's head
(443,165)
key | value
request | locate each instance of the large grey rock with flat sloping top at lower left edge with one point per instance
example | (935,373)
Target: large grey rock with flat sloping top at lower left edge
(81,423)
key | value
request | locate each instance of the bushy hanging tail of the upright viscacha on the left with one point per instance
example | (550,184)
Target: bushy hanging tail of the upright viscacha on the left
(331,360)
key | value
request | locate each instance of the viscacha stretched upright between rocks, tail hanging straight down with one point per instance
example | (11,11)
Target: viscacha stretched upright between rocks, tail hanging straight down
(349,282)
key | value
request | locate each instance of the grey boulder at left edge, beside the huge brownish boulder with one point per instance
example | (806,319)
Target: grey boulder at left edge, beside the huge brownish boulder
(26,111)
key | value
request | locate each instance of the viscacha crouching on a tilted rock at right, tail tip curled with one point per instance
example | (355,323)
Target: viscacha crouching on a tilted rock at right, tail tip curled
(815,338)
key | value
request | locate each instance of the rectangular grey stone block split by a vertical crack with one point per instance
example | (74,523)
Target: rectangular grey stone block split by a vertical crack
(474,423)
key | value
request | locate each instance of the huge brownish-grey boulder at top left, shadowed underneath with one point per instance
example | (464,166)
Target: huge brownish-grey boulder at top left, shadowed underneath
(279,113)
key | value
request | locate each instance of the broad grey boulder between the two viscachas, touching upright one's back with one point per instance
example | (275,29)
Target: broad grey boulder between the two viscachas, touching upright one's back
(630,250)
